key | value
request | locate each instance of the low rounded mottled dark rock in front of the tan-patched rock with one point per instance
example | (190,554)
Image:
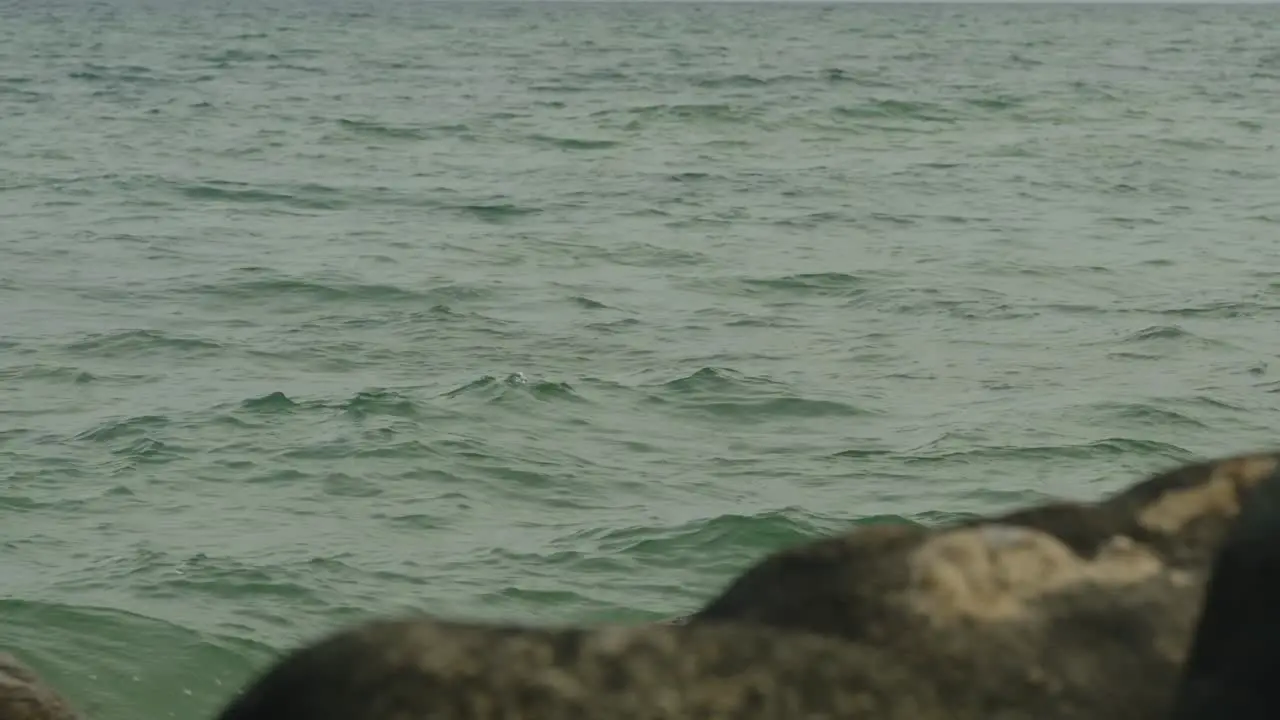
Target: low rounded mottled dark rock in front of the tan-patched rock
(427,668)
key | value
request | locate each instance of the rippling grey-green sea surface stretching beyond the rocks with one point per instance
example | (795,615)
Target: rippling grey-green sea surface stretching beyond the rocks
(568,313)
